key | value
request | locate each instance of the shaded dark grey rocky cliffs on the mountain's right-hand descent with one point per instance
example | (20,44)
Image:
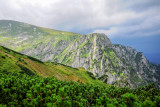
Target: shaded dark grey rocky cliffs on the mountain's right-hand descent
(140,70)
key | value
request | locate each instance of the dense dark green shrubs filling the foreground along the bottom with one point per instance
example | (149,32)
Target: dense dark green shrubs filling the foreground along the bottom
(23,90)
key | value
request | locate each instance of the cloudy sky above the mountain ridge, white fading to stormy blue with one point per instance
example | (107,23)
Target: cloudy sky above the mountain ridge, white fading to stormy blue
(134,23)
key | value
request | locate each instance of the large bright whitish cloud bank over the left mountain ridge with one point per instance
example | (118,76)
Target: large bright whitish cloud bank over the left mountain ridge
(75,13)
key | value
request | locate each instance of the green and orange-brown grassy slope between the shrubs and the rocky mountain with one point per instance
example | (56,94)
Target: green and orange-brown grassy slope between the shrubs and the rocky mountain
(11,61)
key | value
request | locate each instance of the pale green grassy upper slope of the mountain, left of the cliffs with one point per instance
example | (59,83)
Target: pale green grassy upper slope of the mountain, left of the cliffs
(9,35)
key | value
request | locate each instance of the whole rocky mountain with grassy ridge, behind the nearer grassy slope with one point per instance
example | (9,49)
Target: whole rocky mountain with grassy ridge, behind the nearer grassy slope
(111,63)
